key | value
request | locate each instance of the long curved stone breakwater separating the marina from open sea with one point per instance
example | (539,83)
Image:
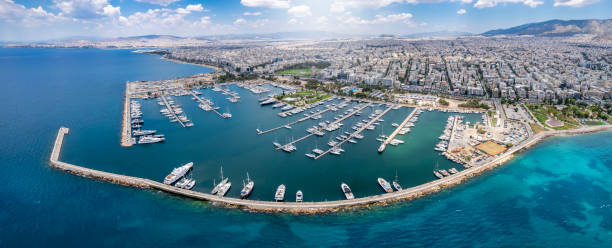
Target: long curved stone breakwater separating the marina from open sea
(312,207)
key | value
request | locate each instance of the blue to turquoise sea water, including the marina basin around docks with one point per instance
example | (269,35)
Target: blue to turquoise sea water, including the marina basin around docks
(556,194)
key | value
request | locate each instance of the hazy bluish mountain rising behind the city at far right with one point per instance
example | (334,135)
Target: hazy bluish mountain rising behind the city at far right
(601,29)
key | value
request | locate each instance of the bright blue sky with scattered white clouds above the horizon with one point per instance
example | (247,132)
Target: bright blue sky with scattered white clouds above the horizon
(38,20)
